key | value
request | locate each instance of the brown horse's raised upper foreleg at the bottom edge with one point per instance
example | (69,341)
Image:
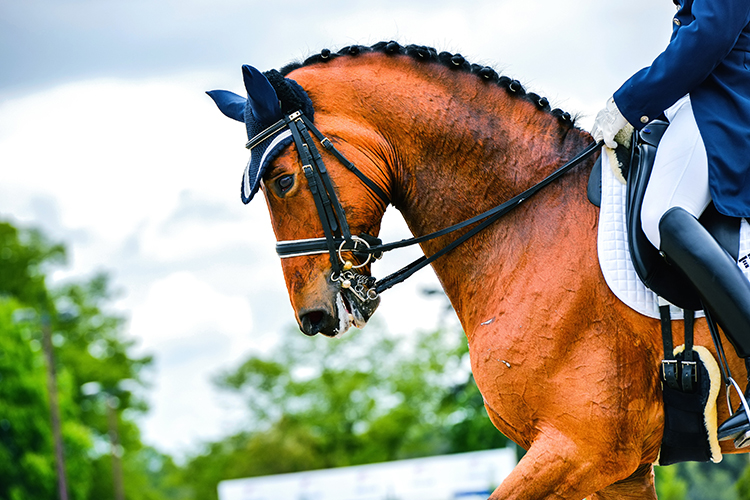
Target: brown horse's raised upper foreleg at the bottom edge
(555,468)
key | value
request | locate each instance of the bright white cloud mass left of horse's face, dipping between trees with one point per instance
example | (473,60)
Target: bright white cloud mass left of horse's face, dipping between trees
(142,180)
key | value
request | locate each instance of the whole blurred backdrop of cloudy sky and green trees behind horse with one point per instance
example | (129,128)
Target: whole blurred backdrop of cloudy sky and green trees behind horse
(128,259)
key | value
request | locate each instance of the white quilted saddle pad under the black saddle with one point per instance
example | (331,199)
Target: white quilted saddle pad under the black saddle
(614,254)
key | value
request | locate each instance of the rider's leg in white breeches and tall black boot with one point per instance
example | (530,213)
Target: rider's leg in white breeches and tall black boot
(680,179)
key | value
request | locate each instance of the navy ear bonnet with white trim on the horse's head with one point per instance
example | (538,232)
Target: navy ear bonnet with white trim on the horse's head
(270,97)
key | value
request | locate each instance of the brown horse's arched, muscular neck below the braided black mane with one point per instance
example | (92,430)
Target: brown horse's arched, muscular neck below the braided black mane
(455,147)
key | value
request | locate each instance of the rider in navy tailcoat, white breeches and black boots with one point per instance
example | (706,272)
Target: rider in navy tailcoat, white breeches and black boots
(701,82)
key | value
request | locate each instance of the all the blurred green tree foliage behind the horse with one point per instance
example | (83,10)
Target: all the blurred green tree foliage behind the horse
(314,403)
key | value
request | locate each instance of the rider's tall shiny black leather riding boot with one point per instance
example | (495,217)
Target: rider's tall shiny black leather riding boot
(722,287)
